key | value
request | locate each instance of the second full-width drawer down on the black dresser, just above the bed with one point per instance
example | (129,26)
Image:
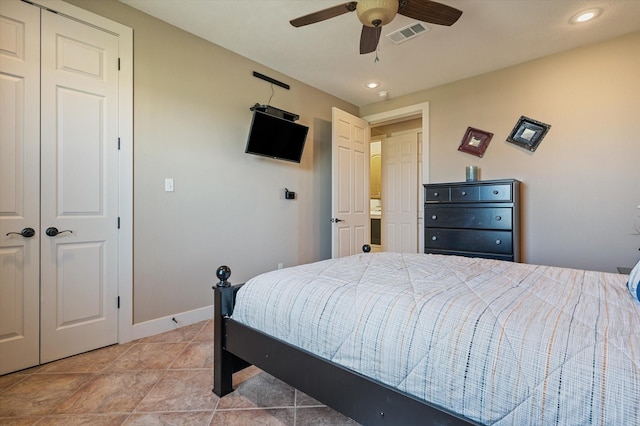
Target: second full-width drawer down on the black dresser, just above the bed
(469,240)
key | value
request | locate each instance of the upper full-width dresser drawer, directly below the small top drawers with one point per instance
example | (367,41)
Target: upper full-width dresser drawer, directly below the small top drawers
(468,217)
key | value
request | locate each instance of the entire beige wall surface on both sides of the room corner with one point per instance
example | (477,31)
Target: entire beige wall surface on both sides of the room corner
(192,100)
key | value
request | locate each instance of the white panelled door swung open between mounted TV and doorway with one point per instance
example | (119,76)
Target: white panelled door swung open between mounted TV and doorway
(350,184)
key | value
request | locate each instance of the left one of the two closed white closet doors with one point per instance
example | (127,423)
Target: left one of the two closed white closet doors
(19,185)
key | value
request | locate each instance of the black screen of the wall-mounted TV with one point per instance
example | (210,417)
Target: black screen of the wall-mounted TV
(276,137)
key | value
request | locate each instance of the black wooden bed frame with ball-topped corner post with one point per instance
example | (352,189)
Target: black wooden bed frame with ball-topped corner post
(368,402)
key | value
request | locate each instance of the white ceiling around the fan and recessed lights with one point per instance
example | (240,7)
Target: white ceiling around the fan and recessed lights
(490,34)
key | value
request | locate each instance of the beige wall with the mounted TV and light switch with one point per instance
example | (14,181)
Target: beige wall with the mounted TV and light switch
(191,120)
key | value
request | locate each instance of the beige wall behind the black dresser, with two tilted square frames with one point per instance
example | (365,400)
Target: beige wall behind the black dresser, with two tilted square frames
(582,185)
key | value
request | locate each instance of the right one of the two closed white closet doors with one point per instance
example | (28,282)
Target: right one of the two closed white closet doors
(79,190)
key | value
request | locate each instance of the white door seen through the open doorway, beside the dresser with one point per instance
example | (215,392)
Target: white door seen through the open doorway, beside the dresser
(400,193)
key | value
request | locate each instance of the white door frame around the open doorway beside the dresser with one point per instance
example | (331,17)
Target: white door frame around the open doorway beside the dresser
(411,111)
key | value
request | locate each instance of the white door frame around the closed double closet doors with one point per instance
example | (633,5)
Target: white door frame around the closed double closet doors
(125,162)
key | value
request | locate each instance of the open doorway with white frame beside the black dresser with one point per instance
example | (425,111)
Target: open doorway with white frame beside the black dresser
(387,233)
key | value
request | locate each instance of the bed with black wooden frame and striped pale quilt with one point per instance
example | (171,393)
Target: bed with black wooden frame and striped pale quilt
(390,339)
